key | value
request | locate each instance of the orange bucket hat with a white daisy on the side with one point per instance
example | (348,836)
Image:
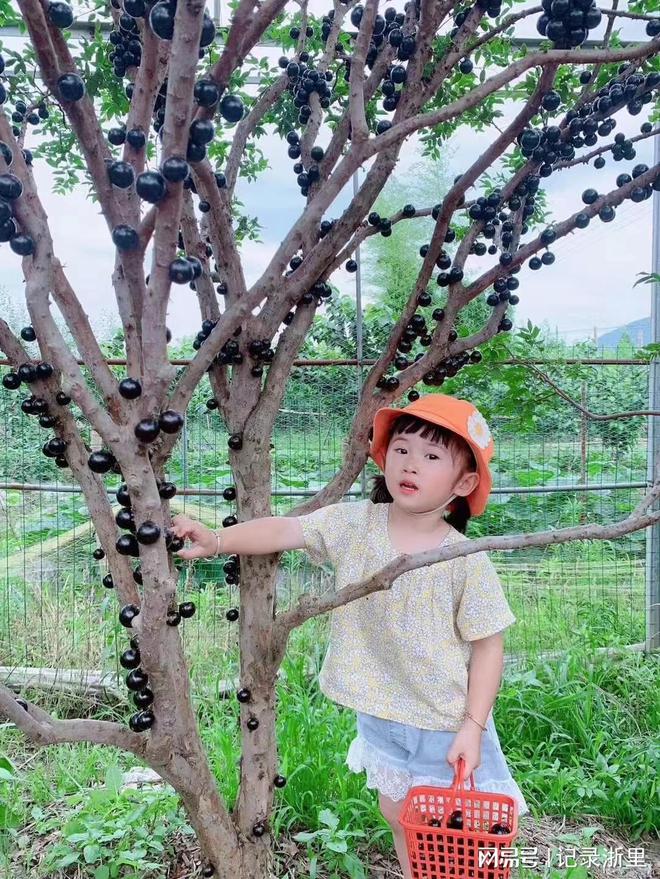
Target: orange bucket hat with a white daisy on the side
(461,417)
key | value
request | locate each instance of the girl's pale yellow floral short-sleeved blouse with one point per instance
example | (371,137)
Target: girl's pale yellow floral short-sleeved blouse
(402,653)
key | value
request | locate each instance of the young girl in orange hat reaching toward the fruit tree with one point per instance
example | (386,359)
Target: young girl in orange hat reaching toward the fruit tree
(421,662)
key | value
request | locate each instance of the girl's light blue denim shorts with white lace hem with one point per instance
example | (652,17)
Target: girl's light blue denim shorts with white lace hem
(397,757)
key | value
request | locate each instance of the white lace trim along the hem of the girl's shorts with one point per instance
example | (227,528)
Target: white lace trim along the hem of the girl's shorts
(395,783)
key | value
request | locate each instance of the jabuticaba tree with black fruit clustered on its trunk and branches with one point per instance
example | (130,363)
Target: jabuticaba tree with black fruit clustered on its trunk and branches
(157,111)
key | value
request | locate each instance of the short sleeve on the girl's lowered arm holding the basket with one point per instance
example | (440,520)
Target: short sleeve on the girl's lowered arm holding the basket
(483,609)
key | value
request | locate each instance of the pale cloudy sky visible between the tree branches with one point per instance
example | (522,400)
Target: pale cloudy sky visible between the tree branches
(588,289)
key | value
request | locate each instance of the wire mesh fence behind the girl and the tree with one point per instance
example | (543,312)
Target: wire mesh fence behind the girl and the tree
(552,468)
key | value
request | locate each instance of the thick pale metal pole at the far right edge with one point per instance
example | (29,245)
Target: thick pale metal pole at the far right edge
(653,468)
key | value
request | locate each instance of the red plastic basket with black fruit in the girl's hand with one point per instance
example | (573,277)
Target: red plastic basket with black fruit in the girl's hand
(438,851)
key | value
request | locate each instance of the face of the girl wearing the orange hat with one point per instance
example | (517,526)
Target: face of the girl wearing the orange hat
(429,467)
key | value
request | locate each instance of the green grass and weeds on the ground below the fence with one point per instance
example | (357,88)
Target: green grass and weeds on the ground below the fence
(580,737)
